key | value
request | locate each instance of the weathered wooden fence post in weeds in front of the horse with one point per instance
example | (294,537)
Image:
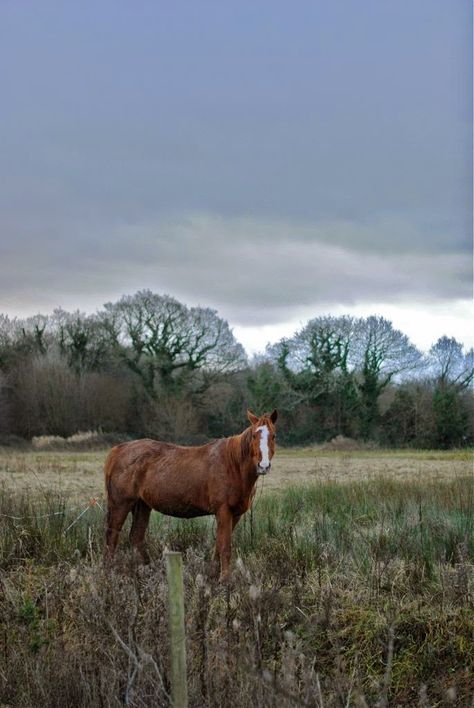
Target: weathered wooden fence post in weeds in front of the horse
(179,685)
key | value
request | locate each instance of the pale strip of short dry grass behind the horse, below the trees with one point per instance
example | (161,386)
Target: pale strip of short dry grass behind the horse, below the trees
(79,474)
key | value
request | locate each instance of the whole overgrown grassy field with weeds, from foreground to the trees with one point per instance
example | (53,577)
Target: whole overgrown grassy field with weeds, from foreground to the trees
(352,585)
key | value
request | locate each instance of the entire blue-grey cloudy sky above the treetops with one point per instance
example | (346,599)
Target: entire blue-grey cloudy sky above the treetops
(274,160)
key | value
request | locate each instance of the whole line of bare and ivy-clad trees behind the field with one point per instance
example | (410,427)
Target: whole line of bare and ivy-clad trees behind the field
(147,365)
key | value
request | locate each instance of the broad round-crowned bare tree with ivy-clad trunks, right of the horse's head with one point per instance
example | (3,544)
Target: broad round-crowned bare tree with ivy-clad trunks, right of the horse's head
(343,364)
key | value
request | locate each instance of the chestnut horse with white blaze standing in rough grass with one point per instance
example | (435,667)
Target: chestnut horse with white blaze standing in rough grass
(218,478)
